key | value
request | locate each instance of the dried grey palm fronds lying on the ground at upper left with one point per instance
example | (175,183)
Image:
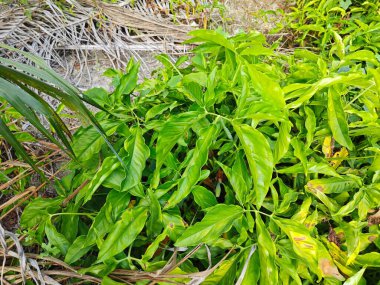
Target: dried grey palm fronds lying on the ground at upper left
(86,34)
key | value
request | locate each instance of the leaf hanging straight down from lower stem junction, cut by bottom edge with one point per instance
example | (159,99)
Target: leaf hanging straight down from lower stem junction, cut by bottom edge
(267,254)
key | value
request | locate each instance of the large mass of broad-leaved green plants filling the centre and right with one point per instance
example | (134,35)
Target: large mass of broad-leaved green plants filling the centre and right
(269,159)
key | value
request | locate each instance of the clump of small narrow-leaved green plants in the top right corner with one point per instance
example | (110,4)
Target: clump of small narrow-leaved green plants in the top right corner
(333,24)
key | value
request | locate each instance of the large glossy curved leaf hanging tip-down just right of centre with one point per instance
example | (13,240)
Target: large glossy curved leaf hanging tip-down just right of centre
(260,159)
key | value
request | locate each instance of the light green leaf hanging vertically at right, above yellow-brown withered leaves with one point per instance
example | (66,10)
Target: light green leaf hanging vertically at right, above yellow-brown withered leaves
(337,120)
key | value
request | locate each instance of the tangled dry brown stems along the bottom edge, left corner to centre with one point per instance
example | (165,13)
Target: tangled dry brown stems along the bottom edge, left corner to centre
(17,267)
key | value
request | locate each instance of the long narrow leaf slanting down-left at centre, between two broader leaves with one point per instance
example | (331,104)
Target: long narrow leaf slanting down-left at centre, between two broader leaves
(192,172)
